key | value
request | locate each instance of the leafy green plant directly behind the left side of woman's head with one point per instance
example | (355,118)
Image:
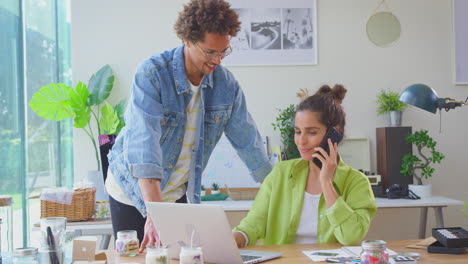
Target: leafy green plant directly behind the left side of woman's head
(285,125)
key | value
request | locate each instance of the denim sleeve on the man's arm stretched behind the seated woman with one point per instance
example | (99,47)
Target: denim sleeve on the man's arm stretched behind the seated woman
(242,132)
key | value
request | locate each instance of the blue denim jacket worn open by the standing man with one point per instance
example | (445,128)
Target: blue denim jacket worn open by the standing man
(150,143)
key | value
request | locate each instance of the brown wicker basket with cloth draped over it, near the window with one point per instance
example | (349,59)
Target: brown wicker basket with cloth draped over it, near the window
(81,209)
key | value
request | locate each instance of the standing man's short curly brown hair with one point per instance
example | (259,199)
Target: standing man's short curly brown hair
(206,16)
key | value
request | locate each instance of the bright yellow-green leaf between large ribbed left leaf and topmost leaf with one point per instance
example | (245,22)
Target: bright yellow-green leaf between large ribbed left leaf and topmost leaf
(79,99)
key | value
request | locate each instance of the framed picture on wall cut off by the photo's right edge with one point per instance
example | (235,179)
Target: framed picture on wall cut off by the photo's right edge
(460,30)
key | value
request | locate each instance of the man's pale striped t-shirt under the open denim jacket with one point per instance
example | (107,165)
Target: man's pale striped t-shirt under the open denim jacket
(175,187)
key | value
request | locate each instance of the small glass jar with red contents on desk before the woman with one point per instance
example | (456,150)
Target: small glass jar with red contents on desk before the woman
(374,252)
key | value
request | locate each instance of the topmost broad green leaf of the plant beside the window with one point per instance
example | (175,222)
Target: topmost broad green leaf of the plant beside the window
(100,85)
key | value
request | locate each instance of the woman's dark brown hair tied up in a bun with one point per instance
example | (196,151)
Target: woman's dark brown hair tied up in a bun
(326,102)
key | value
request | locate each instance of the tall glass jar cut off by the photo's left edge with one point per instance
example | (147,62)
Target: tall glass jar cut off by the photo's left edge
(6,223)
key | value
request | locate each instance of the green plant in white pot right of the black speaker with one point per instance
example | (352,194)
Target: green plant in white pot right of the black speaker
(412,163)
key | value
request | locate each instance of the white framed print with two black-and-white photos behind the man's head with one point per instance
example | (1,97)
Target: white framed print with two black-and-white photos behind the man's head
(275,32)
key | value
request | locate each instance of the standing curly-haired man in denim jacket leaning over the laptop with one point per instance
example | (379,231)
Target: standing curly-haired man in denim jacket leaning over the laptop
(182,101)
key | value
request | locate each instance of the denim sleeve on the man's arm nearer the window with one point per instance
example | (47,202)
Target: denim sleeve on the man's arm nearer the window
(143,121)
